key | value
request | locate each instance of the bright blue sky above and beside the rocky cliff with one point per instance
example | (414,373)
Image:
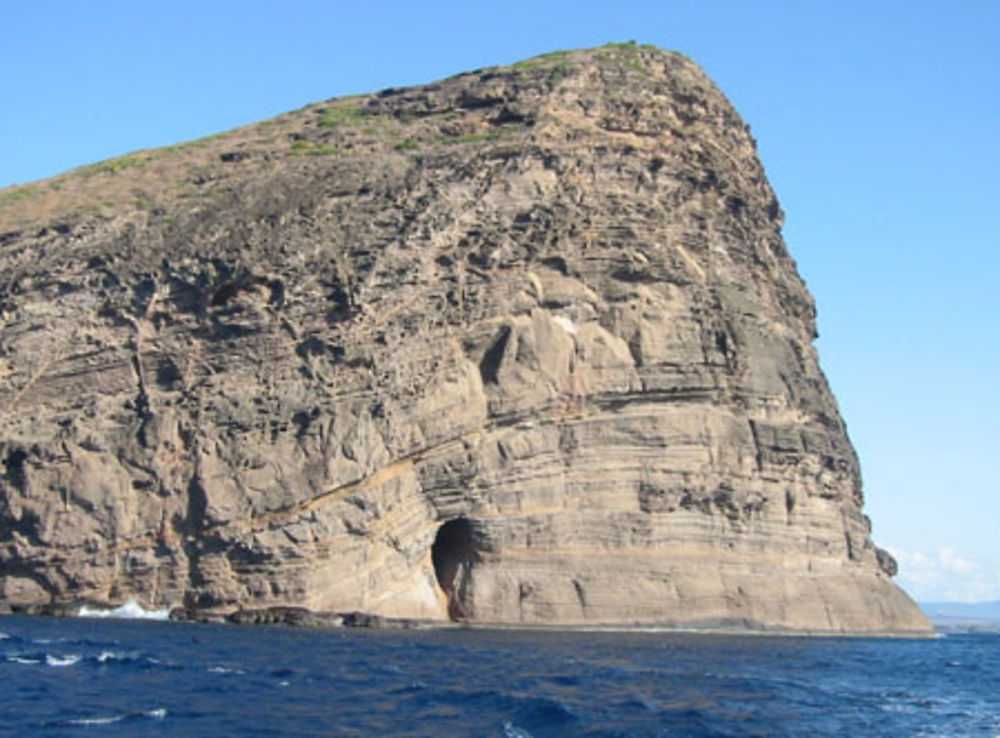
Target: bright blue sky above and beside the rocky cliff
(878,124)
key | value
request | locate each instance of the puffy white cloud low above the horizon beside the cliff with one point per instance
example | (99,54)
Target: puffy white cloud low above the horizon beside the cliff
(945,575)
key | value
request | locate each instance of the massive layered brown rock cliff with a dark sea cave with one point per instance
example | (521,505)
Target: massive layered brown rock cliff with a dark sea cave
(521,346)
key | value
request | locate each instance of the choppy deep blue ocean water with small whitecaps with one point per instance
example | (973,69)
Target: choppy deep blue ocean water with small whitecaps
(120,678)
